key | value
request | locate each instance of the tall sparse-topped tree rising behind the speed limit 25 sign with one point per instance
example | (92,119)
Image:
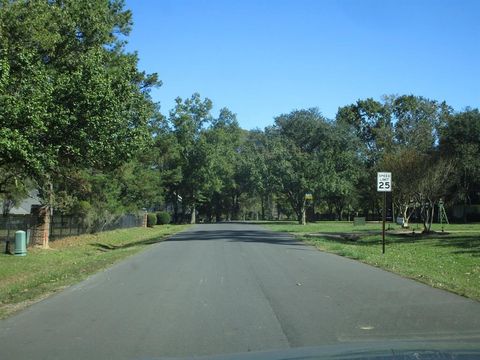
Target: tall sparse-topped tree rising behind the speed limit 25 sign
(396,125)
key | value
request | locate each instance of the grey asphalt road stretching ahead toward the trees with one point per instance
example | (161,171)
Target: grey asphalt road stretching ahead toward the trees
(230,288)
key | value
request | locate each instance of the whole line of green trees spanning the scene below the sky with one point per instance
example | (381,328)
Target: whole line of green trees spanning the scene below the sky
(79,125)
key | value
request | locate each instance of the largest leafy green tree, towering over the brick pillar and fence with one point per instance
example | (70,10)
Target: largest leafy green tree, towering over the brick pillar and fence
(71,98)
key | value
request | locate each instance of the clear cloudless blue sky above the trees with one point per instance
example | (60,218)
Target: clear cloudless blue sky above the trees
(263,58)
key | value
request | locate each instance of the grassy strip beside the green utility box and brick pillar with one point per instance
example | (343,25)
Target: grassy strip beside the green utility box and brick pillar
(24,280)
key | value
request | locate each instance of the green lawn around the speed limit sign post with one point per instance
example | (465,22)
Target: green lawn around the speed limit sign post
(448,261)
